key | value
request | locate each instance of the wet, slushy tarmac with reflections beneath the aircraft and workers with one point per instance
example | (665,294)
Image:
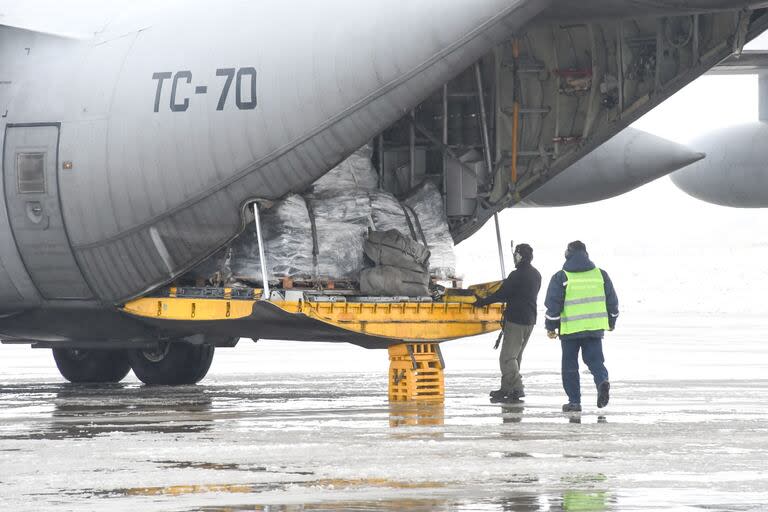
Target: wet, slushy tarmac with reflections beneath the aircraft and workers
(684,439)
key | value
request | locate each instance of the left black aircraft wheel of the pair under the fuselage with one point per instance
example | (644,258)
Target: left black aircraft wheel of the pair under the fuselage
(91,366)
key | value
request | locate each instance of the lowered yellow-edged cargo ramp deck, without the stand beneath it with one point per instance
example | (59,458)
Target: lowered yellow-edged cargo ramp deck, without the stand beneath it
(321,318)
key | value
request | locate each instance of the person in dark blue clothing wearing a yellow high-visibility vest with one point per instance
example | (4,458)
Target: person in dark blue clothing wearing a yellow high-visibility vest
(581,305)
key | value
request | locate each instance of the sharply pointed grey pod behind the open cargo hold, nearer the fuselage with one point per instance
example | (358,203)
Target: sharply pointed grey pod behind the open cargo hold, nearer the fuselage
(629,160)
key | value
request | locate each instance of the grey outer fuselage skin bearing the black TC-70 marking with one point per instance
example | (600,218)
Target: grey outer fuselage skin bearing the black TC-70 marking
(130,155)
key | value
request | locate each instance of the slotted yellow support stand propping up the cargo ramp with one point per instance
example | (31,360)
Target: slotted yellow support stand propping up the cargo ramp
(416,373)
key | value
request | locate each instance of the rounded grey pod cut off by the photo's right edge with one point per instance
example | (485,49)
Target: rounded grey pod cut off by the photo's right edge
(735,172)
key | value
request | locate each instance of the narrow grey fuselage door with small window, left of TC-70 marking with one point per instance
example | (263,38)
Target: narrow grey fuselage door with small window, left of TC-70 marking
(30,168)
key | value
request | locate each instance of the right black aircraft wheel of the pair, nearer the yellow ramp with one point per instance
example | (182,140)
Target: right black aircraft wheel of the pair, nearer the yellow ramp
(172,363)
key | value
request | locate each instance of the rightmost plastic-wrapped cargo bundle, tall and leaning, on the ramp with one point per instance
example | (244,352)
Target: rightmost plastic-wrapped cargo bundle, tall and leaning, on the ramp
(427,202)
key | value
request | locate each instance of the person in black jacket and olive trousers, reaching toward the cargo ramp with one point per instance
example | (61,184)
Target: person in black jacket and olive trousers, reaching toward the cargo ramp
(520,291)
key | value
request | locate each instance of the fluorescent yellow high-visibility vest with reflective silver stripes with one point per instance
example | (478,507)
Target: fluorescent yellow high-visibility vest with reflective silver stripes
(585,308)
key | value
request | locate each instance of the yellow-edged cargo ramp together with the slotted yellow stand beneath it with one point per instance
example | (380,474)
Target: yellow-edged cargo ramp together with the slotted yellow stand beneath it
(410,328)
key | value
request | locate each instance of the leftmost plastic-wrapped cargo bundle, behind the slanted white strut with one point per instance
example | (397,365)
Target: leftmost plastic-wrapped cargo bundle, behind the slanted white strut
(287,243)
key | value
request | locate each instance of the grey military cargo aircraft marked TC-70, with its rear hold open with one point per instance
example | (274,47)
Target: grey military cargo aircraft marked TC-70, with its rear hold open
(136,136)
